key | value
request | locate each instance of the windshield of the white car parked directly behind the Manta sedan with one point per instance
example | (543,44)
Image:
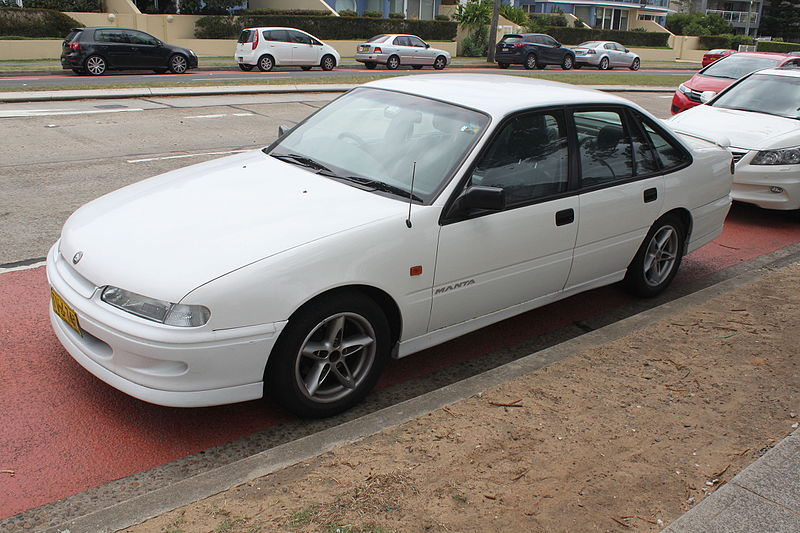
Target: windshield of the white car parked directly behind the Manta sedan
(764,93)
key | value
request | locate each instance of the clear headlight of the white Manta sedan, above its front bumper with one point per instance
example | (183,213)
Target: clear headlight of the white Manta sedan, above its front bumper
(156,310)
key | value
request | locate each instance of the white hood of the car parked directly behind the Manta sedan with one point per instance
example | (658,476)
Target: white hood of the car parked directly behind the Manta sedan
(762,131)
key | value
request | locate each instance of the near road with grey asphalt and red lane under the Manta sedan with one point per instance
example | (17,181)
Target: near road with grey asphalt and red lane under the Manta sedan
(65,433)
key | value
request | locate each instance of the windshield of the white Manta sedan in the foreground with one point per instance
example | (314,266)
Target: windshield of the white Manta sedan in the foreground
(377,140)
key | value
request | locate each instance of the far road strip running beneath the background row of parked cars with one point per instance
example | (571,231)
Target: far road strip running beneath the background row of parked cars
(67,78)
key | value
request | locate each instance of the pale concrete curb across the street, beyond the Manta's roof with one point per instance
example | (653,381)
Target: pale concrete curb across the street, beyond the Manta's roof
(148,92)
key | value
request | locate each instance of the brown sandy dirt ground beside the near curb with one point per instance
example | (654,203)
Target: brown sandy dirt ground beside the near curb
(624,436)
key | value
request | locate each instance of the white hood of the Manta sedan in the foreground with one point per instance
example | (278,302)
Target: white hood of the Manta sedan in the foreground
(165,236)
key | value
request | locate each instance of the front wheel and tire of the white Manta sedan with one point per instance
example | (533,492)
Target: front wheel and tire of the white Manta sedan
(329,356)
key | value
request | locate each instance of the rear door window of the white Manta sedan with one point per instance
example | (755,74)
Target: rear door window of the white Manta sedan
(605,147)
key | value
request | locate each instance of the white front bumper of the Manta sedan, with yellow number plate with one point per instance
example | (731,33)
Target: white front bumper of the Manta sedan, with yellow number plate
(164,365)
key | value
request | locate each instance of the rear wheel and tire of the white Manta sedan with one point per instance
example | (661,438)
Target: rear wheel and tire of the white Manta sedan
(658,258)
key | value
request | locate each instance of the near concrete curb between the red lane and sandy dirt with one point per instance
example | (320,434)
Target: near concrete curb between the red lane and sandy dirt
(141,508)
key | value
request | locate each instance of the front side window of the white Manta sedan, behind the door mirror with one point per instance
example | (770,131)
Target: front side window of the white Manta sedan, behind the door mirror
(528,158)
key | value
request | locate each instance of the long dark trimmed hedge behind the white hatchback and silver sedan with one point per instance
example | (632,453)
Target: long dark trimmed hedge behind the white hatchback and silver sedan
(332,28)
